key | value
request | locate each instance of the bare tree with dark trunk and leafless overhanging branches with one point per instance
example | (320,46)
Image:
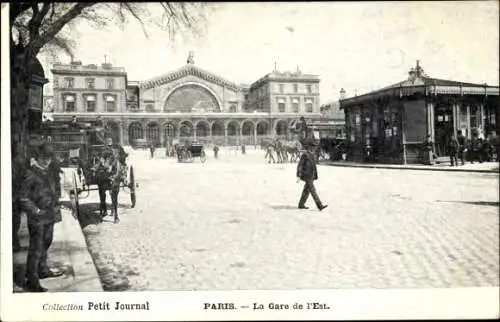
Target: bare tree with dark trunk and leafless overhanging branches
(38,27)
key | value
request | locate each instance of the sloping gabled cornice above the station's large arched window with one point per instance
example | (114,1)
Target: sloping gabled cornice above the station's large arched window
(185,71)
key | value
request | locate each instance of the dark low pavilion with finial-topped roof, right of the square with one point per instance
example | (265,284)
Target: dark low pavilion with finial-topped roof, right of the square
(389,125)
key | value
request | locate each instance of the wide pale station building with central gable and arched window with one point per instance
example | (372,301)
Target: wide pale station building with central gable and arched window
(185,104)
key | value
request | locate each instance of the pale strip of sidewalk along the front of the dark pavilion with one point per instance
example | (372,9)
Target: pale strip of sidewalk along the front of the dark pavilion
(485,167)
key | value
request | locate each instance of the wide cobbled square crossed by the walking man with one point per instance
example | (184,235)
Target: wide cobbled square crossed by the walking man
(233,224)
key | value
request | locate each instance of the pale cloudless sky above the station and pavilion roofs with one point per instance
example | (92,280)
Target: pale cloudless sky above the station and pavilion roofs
(358,46)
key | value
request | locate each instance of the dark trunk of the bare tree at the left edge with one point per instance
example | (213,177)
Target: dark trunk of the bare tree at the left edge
(20,84)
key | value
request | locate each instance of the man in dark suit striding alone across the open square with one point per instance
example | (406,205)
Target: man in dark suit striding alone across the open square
(307,172)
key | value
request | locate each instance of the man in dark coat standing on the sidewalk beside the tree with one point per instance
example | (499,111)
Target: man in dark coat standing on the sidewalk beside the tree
(39,198)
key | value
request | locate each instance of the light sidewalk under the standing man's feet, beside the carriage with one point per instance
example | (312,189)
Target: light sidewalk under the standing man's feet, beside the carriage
(68,252)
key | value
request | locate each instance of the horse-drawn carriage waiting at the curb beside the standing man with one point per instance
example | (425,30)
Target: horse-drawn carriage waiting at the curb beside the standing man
(91,162)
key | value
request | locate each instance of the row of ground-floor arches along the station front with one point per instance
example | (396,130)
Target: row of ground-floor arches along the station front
(221,132)
